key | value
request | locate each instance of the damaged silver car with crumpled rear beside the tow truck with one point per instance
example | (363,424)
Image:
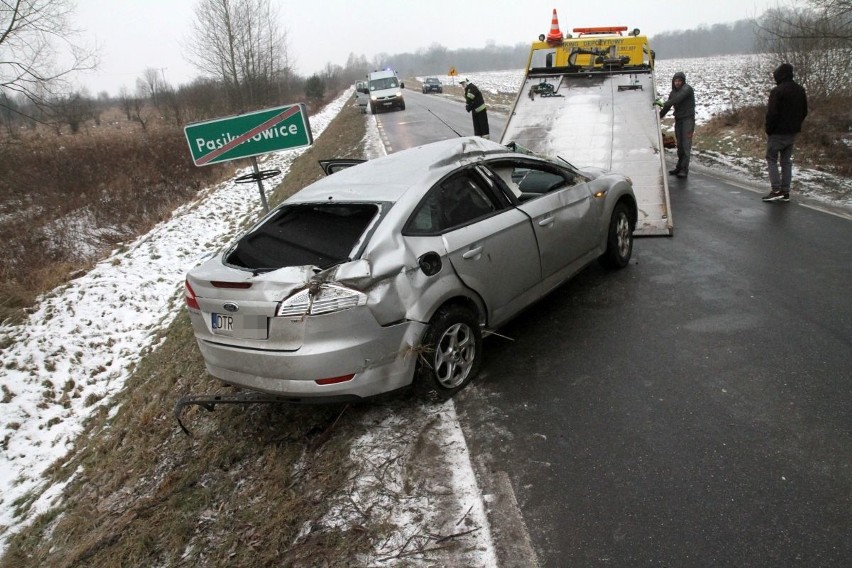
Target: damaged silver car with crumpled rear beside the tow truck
(388,273)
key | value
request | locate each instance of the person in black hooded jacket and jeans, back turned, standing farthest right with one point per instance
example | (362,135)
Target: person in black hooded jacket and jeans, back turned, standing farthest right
(785,112)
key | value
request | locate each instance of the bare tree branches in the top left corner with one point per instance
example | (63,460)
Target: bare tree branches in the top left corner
(34,35)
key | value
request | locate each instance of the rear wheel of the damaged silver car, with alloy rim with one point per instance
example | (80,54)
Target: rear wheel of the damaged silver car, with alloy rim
(450,354)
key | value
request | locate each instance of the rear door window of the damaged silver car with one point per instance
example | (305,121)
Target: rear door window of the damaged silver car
(454,202)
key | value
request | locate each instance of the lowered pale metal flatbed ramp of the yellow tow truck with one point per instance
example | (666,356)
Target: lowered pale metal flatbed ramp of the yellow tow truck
(606,121)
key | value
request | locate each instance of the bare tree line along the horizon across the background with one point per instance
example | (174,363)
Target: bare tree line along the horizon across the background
(245,63)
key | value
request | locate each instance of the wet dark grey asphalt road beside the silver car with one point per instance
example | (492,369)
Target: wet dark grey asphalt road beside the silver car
(693,409)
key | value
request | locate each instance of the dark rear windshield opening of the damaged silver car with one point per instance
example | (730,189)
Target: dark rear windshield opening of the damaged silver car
(315,234)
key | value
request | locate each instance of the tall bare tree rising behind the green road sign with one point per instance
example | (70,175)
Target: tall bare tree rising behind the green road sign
(240,43)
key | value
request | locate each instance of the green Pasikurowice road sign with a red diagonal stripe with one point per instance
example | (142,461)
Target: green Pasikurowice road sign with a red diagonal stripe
(246,135)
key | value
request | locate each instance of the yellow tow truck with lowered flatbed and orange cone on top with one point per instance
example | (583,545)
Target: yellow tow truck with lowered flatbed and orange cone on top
(589,98)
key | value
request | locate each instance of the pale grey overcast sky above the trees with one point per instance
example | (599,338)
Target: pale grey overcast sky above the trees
(133,35)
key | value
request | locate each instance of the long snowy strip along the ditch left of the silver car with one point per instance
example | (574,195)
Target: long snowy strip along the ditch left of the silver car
(80,344)
